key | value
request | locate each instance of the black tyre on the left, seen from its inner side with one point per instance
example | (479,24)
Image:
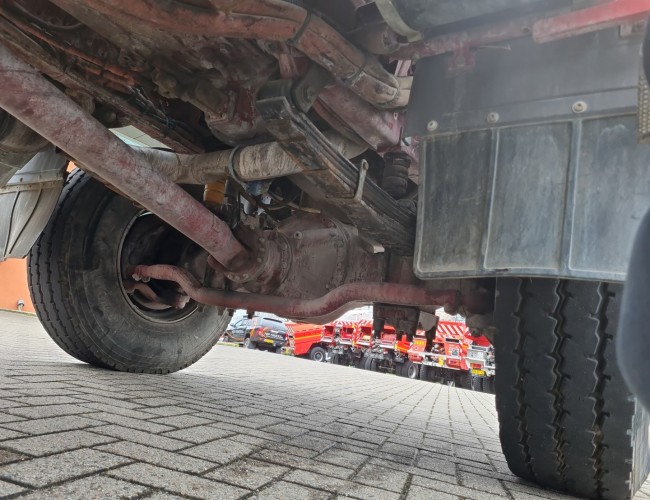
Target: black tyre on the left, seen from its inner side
(76,287)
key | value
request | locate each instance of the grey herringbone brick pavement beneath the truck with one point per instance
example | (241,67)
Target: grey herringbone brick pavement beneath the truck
(239,424)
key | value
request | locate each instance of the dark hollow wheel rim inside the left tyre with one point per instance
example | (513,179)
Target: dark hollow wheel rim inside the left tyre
(148,240)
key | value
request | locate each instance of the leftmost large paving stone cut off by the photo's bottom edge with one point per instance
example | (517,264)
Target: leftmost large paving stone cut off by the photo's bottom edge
(95,487)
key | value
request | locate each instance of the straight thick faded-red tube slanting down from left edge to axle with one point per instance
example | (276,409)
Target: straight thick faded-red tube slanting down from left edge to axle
(45,109)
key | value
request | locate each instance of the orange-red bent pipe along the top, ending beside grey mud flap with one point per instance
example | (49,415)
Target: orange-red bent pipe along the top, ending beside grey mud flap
(271,20)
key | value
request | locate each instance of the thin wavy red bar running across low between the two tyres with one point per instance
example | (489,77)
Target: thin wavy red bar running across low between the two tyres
(386,293)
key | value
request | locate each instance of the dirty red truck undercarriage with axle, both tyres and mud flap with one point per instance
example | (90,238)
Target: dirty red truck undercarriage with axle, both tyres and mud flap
(486,157)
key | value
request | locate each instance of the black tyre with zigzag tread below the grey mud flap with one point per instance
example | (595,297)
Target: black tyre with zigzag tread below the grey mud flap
(567,420)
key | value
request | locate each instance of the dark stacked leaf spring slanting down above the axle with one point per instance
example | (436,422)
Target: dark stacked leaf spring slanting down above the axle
(332,179)
